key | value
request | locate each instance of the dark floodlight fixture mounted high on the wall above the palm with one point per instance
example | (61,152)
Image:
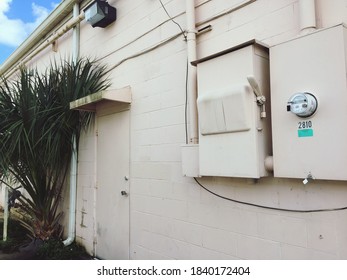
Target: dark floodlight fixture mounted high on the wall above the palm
(100,14)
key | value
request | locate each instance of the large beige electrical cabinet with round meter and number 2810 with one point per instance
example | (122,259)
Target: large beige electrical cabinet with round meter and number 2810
(309,106)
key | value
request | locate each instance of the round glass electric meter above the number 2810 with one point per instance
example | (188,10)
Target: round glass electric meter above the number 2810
(303,104)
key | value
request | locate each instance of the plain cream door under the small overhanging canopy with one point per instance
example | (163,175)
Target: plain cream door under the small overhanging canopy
(112,201)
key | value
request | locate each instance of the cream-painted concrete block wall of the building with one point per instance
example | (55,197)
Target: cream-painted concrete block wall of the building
(171,216)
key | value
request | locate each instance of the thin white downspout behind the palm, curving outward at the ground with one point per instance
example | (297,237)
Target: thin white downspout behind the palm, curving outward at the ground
(73,166)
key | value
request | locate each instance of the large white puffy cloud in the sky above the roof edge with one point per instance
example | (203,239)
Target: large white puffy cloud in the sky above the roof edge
(14,31)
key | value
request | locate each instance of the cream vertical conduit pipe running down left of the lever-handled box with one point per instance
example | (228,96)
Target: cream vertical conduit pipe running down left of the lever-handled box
(192,72)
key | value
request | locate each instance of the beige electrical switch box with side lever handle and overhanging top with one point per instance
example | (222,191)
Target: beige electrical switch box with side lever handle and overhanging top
(234,121)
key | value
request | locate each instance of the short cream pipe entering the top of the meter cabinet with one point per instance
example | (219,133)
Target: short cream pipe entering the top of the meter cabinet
(307,16)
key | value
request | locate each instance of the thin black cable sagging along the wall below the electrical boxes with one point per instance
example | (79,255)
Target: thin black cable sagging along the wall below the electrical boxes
(269,207)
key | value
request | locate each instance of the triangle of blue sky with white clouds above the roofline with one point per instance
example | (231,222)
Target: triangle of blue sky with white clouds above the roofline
(18,19)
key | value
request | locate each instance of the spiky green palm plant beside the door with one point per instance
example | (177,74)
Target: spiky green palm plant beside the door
(37,129)
